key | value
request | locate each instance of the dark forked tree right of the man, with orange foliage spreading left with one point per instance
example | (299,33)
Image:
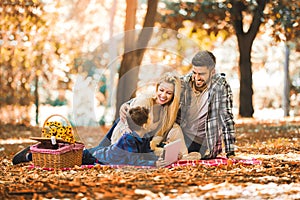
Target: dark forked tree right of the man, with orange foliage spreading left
(228,15)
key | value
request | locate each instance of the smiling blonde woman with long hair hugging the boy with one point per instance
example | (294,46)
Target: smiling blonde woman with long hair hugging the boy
(163,107)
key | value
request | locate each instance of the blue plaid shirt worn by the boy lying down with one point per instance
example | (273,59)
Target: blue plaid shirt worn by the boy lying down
(130,149)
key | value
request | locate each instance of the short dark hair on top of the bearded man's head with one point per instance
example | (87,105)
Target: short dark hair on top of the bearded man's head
(204,58)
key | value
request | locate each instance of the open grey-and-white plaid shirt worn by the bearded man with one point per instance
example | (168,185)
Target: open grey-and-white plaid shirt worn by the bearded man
(219,117)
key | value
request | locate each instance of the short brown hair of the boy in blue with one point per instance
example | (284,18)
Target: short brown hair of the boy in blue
(137,117)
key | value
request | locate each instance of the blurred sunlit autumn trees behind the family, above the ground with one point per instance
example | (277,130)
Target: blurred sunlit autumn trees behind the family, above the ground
(50,48)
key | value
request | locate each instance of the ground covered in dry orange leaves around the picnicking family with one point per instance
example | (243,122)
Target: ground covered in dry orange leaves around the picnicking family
(275,143)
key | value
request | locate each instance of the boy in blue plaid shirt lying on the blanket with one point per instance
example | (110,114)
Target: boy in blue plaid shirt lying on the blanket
(132,148)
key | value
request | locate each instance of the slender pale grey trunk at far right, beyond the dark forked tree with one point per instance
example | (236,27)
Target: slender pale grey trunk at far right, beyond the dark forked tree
(286,89)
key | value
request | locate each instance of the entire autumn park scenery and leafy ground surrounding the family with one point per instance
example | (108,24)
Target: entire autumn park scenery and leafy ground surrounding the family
(68,56)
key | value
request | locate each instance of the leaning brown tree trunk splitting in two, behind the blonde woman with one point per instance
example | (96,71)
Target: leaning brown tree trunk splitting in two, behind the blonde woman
(134,49)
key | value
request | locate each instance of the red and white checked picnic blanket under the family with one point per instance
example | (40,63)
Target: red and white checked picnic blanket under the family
(211,162)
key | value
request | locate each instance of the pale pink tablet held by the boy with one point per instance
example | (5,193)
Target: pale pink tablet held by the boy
(171,151)
